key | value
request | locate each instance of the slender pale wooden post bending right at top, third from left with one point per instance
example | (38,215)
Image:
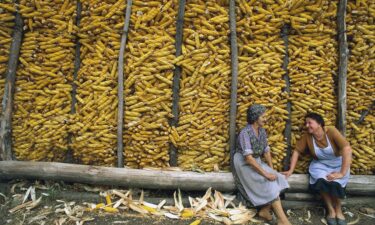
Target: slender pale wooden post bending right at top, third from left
(120,92)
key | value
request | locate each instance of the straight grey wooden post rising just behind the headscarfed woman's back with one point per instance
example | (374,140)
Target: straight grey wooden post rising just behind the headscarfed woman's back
(234,71)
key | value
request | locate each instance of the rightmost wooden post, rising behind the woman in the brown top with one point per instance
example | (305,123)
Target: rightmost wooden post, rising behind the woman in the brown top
(343,66)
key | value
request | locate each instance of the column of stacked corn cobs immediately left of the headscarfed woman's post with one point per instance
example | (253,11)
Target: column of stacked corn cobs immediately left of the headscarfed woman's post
(202,132)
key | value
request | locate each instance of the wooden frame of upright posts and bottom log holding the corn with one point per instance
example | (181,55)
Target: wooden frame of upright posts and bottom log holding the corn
(158,179)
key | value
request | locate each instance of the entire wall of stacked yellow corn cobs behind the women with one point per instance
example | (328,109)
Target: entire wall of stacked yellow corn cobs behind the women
(41,121)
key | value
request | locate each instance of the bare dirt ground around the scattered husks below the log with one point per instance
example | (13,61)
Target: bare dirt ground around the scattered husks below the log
(50,209)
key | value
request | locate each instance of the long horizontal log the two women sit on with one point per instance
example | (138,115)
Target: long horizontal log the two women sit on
(153,179)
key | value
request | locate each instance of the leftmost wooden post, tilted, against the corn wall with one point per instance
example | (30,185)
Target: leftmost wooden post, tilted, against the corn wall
(7,101)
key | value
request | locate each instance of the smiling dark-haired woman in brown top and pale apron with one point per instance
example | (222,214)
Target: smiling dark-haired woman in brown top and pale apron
(329,169)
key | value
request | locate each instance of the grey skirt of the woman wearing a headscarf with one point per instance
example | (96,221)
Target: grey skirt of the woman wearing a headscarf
(259,190)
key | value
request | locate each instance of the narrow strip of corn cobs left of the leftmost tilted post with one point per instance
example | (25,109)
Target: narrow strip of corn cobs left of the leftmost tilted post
(6,31)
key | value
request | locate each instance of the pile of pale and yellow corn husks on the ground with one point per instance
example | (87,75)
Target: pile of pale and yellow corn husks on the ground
(213,205)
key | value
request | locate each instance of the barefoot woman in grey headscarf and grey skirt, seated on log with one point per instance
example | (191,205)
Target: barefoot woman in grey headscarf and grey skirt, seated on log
(255,179)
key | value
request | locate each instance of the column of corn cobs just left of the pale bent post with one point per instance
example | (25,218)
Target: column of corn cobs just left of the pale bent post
(95,126)
